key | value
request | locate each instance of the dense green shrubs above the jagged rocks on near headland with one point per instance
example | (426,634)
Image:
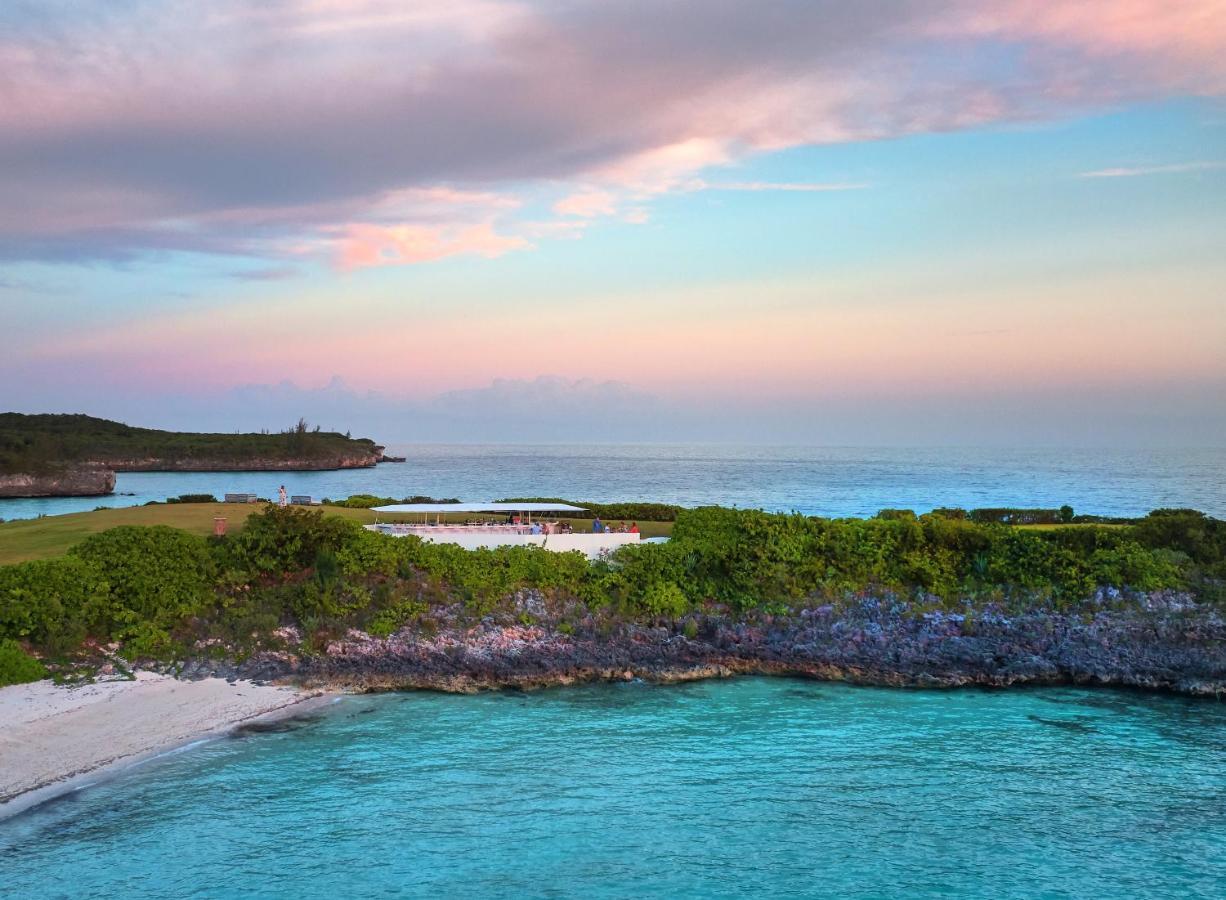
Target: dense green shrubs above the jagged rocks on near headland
(161,592)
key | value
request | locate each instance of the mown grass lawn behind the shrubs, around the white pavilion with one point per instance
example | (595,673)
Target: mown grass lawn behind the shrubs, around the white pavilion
(52,536)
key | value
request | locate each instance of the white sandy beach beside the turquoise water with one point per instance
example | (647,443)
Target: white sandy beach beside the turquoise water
(51,736)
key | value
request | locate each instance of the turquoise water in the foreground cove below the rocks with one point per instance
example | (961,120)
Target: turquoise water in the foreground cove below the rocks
(755,787)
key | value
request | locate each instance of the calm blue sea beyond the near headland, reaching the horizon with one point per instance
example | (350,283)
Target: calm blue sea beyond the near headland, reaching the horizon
(820,481)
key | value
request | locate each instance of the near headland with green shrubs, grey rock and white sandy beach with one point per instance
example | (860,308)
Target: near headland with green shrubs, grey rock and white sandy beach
(294,603)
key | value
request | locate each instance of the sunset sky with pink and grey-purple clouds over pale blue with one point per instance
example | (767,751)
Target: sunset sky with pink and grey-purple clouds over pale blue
(900,223)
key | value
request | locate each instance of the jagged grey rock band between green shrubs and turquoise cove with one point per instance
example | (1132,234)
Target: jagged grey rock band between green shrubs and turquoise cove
(1158,642)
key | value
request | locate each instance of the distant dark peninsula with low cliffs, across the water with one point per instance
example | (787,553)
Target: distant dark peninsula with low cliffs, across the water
(51,456)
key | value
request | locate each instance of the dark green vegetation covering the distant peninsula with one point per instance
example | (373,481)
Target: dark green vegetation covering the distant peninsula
(35,444)
